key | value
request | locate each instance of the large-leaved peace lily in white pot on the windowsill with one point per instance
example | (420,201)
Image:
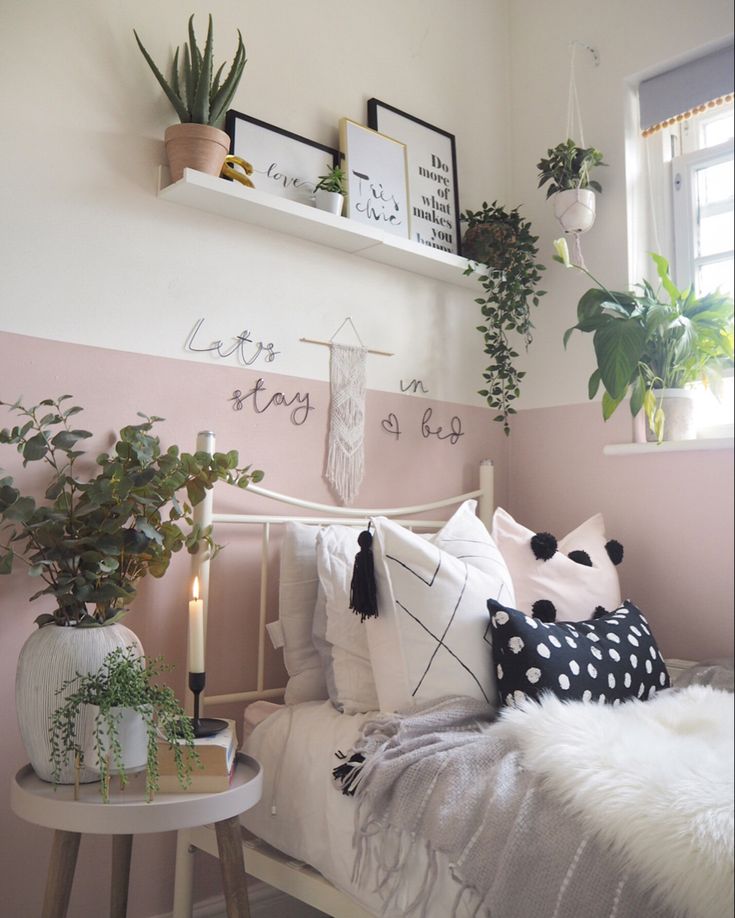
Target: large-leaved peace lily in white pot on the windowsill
(653,345)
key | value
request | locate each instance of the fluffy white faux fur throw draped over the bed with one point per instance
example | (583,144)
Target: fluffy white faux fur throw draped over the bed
(654,778)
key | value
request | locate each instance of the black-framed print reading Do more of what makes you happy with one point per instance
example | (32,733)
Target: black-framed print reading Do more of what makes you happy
(432,175)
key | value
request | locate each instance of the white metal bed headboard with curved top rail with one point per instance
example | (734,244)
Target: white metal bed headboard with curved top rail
(322,514)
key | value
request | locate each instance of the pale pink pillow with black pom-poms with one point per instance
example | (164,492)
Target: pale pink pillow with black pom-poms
(575,588)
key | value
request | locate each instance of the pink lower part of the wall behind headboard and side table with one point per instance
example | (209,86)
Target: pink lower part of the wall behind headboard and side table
(112,386)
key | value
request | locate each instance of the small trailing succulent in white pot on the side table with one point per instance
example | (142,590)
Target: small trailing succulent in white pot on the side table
(130,714)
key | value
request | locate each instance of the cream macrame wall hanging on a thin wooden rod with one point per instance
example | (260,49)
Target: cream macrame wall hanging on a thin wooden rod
(345,465)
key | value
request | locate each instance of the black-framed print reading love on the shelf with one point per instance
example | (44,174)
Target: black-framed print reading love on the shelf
(284,164)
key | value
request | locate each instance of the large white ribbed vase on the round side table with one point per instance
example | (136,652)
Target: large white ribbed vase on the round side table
(49,657)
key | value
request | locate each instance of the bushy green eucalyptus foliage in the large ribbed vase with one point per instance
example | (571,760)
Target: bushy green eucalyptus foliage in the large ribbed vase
(104,523)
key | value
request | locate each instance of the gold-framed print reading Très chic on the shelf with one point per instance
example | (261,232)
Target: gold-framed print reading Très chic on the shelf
(377,186)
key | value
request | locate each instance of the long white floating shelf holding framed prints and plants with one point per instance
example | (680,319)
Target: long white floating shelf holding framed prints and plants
(258,208)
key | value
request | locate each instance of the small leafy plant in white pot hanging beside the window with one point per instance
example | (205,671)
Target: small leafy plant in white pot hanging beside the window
(566,168)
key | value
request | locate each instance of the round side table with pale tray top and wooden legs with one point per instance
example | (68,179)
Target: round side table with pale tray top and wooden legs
(126,815)
